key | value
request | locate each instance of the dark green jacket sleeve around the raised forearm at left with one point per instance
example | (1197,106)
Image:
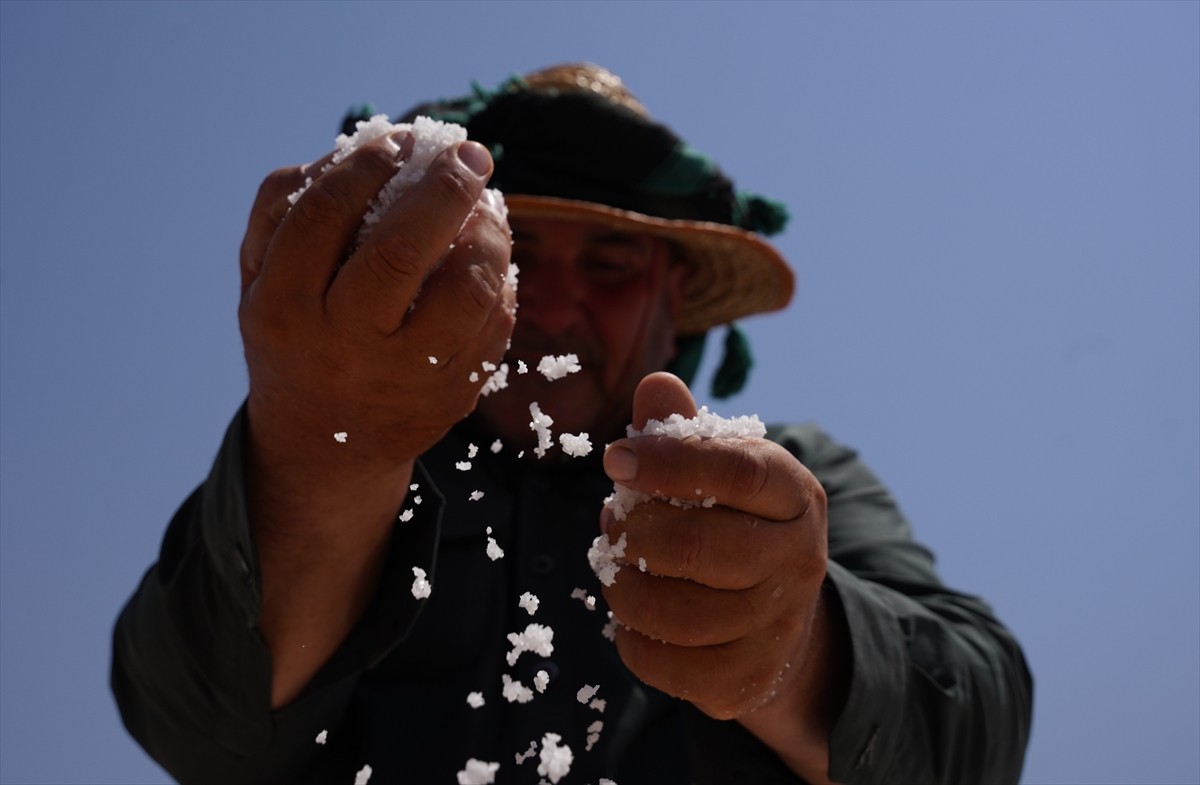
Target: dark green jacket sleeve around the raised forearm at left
(191,673)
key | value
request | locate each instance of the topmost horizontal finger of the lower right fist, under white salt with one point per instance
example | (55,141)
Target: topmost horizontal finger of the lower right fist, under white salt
(751,475)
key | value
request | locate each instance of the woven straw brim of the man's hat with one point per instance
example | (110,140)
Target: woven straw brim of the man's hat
(734,273)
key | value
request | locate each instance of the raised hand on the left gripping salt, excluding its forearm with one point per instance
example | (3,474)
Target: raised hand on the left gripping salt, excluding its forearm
(344,344)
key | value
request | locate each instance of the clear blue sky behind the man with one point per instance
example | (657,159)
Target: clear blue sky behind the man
(995,230)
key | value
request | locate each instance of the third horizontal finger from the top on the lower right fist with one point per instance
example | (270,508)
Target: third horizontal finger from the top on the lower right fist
(688,614)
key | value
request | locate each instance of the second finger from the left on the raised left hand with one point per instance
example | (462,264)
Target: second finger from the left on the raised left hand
(315,235)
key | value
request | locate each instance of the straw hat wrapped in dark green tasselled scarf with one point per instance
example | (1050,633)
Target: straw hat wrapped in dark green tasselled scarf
(573,142)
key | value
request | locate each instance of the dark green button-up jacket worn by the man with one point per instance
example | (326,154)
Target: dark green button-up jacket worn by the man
(940,692)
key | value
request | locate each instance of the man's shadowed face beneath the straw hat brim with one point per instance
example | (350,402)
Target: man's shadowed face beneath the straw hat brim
(610,298)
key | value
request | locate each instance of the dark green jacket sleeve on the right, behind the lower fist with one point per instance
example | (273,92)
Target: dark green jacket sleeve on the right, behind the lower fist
(939,690)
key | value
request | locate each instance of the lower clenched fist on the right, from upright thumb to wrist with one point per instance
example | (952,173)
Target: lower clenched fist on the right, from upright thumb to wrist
(723,614)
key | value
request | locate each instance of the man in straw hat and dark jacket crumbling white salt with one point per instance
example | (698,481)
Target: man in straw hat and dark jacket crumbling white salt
(787,631)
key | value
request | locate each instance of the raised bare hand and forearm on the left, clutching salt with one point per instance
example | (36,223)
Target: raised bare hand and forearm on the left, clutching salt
(343,344)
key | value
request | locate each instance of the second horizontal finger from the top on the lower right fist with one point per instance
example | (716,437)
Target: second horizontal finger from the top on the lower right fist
(719,548)
